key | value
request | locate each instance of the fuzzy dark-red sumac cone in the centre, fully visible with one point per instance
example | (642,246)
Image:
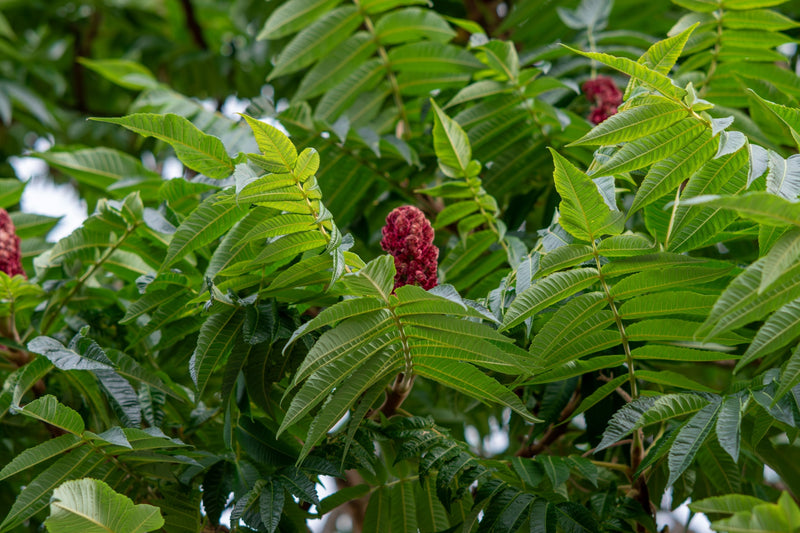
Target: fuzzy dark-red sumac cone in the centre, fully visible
(408,237)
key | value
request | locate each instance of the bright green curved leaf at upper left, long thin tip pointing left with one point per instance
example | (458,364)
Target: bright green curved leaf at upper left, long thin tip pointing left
(201,152)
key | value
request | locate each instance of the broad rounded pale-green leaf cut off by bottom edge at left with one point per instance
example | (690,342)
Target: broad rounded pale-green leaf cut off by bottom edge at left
(91,506)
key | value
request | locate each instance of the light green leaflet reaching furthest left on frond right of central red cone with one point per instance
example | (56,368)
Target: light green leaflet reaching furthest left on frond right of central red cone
(549,290)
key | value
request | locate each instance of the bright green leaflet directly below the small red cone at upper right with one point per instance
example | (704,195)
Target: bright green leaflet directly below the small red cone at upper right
(635,122)
